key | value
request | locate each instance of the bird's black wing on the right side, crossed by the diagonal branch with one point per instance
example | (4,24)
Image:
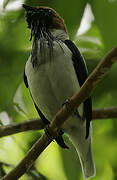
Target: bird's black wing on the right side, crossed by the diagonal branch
(82,74)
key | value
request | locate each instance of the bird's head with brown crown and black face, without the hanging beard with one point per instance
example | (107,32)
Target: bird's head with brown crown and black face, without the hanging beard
(42,20)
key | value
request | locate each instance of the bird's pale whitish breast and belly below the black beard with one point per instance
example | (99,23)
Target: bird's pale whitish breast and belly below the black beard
(52,83)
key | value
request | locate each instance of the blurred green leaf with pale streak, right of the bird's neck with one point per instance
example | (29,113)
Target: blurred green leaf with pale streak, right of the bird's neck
(90,43)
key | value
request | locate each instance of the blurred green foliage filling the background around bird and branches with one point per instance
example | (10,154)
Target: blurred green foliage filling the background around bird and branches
(55,163)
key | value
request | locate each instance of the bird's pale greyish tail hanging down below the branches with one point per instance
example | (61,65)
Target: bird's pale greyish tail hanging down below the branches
(83,147)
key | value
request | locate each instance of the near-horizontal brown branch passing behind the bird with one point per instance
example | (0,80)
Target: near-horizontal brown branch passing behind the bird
(37,124)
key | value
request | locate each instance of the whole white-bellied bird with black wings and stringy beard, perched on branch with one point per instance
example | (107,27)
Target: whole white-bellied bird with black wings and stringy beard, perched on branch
(54,72)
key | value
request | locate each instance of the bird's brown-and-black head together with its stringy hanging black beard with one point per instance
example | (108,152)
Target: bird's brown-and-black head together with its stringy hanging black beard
(43,22)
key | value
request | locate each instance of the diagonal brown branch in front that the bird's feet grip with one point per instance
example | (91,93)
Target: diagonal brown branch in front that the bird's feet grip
(99,72)
